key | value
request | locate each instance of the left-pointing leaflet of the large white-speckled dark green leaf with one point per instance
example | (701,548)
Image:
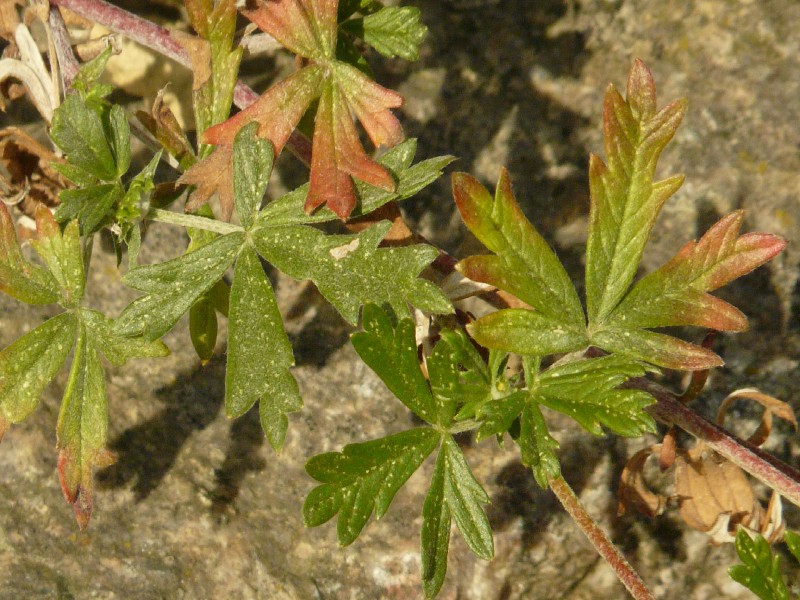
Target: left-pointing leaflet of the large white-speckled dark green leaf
(172,287)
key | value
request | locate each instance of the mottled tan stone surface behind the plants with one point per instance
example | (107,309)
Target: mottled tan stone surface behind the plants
(199,507)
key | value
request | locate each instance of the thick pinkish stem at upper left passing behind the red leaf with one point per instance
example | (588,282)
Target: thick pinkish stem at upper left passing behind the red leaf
(163,41)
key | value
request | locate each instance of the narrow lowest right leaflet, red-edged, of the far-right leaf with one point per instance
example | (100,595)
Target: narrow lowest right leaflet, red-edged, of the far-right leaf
(656,348)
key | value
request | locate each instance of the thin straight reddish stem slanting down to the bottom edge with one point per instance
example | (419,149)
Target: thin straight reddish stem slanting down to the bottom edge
(601,542)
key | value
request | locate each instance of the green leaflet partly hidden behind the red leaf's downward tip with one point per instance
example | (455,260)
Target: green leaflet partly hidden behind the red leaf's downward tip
(288,209)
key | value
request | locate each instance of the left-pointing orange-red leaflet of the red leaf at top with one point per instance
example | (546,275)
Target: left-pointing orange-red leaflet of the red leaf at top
(277,111)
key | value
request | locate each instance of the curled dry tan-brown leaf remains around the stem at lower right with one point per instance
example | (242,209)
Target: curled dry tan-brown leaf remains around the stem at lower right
(713,495)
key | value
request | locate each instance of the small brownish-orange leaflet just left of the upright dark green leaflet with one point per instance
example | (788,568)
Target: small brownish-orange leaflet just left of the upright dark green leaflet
(212,175)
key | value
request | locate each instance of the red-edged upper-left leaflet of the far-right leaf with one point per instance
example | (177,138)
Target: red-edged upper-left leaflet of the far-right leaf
(524,264)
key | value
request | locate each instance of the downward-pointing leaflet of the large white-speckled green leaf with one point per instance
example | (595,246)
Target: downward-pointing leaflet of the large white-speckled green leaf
(259,353)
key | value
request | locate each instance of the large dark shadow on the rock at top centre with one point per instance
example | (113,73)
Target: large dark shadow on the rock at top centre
(491,110)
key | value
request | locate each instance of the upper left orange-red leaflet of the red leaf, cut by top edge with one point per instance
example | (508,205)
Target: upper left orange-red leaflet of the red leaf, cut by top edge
(306,27)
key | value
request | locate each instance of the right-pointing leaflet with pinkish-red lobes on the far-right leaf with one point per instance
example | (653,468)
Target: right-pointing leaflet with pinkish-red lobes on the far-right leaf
(676,294)
